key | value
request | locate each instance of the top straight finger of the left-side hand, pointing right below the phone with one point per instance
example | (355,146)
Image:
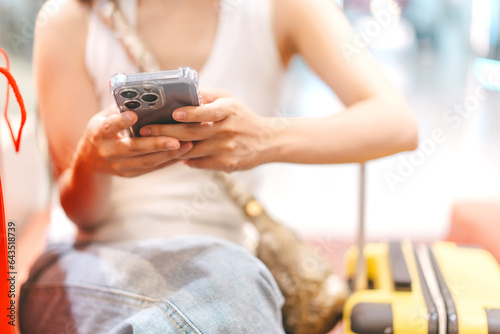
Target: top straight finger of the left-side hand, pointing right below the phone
(135,146)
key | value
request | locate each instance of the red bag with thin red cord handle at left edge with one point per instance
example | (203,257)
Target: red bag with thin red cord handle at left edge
(8,286)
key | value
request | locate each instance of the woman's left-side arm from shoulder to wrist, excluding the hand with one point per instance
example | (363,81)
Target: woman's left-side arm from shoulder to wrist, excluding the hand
(66,103)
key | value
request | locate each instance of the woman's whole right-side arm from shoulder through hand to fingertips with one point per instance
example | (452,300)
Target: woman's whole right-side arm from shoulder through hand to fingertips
(377,120)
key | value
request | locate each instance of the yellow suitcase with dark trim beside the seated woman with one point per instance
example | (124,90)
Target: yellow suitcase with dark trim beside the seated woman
(442,289)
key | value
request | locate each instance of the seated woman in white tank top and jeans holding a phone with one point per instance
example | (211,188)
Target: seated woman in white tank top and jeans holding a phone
(141,264)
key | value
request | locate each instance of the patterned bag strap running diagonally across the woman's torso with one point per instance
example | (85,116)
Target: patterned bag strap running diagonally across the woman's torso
(139,53)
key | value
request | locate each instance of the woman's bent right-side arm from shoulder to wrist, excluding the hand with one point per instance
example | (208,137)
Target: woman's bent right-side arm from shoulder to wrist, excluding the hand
(377,120)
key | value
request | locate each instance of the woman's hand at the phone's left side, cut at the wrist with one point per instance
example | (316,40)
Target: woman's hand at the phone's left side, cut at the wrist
(106,147)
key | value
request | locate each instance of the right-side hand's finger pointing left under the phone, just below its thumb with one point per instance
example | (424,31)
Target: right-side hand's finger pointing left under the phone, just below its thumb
(183,132)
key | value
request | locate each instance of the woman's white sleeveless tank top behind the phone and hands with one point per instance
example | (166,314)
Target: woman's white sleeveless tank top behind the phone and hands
(178,199)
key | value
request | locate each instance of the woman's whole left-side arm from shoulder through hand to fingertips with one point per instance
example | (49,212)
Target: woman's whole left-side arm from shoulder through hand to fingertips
(85,145)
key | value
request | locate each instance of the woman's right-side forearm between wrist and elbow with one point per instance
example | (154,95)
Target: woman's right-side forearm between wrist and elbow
(367,130)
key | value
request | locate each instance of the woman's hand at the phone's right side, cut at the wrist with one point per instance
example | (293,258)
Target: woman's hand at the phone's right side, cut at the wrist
(226,134)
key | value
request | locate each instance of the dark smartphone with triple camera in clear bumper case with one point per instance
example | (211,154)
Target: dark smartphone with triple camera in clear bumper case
(154,96)
